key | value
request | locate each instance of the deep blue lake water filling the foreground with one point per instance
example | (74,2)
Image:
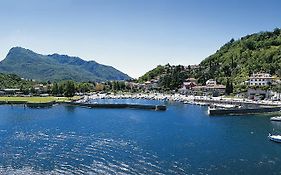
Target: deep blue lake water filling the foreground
(181,140)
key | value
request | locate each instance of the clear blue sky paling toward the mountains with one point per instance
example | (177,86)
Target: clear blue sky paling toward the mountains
(133,36)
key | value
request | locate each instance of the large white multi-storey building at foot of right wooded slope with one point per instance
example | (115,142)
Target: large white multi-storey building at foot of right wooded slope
(260,79)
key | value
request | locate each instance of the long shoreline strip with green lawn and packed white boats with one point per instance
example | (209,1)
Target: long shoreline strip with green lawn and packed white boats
(196,100)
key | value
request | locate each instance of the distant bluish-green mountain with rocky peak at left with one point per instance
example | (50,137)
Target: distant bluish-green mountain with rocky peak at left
(55,67)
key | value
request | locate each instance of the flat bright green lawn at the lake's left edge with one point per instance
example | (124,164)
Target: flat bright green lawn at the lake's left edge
(39,99)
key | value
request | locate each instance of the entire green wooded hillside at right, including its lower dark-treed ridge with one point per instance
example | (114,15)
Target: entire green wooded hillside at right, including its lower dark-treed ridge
(236,61)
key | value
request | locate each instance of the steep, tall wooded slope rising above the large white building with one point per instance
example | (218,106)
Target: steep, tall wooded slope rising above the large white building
(259,52)
